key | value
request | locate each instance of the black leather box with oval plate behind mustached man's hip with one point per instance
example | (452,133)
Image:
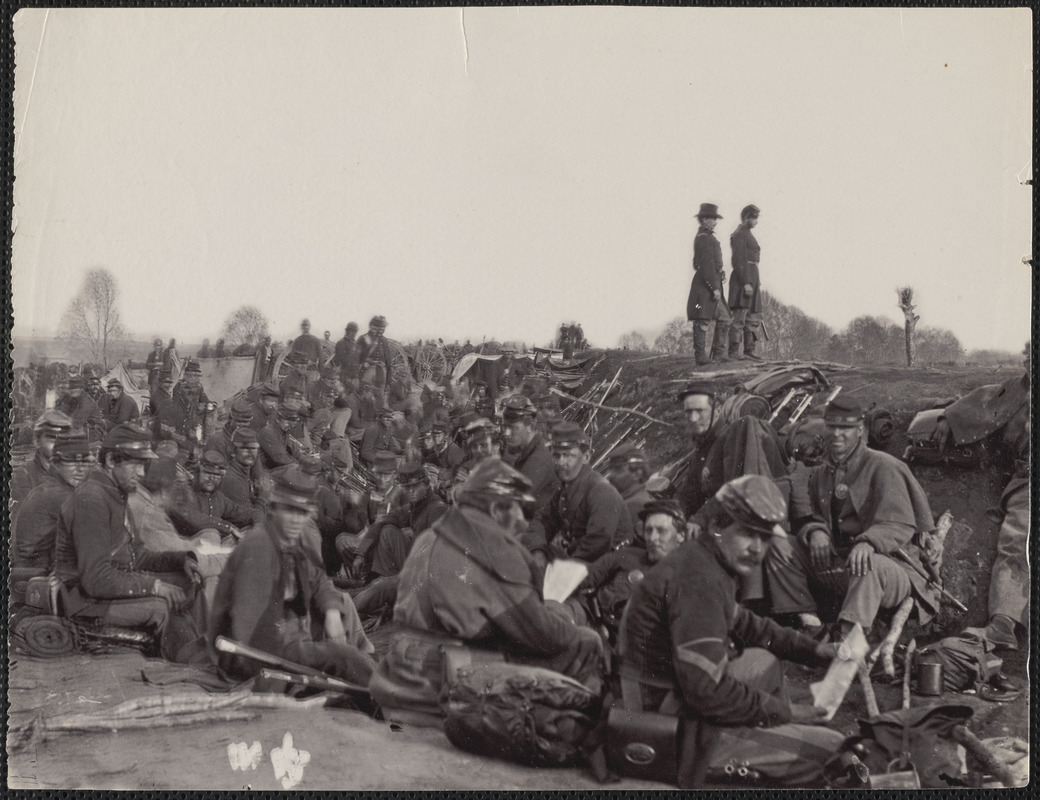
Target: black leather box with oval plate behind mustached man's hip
(643,745)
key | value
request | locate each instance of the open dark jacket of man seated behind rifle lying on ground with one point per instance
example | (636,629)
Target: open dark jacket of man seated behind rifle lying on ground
(250,606)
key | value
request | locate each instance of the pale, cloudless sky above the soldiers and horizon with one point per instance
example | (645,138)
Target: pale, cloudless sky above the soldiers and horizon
(495,172)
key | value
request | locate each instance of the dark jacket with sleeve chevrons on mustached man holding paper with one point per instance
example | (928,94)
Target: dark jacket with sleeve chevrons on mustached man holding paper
(681,629)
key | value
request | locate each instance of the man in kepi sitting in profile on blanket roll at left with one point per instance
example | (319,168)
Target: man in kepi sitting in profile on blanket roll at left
(103,576)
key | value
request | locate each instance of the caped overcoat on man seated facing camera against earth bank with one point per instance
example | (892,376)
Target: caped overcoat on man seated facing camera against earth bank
(885,505)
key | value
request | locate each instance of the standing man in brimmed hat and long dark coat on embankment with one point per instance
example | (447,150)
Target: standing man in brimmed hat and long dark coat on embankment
(707,302)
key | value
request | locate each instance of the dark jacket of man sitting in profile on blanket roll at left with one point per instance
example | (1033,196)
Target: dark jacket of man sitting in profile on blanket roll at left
(95,558)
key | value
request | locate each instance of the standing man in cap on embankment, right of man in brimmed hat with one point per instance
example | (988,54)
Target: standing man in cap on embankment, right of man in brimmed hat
(745,289)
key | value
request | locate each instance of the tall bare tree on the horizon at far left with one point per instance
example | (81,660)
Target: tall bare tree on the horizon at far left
(91,325)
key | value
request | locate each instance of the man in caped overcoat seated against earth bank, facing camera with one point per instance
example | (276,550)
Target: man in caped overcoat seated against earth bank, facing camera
(867,506)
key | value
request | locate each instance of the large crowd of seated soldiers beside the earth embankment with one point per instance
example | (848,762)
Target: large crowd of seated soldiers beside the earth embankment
(447,519)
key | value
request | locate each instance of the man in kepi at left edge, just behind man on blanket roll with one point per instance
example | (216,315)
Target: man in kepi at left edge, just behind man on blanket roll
(37,526)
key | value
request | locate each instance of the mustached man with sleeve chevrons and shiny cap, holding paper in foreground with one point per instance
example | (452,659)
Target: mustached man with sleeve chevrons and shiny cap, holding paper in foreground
(688,649)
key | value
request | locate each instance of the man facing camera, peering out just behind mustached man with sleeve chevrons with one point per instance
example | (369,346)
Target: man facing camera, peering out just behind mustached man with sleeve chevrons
(603,597)
